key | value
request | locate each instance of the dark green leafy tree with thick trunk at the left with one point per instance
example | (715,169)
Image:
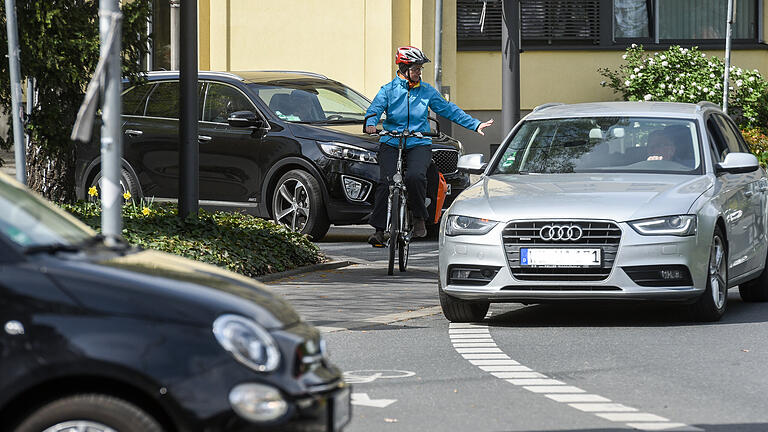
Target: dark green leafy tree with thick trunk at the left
(59,47)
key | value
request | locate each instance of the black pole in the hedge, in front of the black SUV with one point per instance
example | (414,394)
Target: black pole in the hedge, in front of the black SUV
(189,157)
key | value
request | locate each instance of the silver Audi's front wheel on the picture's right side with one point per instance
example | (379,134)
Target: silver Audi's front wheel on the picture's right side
(713,302)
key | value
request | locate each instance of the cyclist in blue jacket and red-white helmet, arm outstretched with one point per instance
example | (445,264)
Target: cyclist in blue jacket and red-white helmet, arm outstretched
(407,100)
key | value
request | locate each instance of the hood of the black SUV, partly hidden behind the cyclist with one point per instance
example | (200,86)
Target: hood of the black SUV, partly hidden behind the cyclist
(352,134)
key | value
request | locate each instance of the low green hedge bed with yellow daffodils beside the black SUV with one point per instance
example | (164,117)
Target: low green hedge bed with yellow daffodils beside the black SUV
(241,243)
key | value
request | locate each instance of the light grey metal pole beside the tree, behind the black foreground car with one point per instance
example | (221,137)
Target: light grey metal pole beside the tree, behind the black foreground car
(111,144)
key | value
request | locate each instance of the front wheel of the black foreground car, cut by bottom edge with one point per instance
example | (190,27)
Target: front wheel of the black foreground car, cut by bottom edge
(96,410)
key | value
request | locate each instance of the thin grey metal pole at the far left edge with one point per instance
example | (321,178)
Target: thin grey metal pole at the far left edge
(13,63)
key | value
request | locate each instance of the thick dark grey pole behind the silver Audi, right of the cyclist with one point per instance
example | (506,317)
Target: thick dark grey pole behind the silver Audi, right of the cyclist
(510,65)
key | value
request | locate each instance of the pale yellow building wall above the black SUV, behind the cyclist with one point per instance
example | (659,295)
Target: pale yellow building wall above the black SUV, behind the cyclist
(352,41)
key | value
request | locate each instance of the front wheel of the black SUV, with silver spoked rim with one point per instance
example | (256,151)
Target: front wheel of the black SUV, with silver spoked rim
(297,204)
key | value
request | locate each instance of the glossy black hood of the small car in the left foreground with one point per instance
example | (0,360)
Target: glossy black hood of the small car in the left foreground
(160,286)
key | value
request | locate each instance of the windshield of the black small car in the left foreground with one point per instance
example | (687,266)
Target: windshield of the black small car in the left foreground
(30,221)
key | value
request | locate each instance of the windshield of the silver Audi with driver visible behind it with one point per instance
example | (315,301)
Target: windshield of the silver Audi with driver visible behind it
(603,144)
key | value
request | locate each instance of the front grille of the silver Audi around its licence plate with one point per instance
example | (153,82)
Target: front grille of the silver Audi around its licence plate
(605,235)
